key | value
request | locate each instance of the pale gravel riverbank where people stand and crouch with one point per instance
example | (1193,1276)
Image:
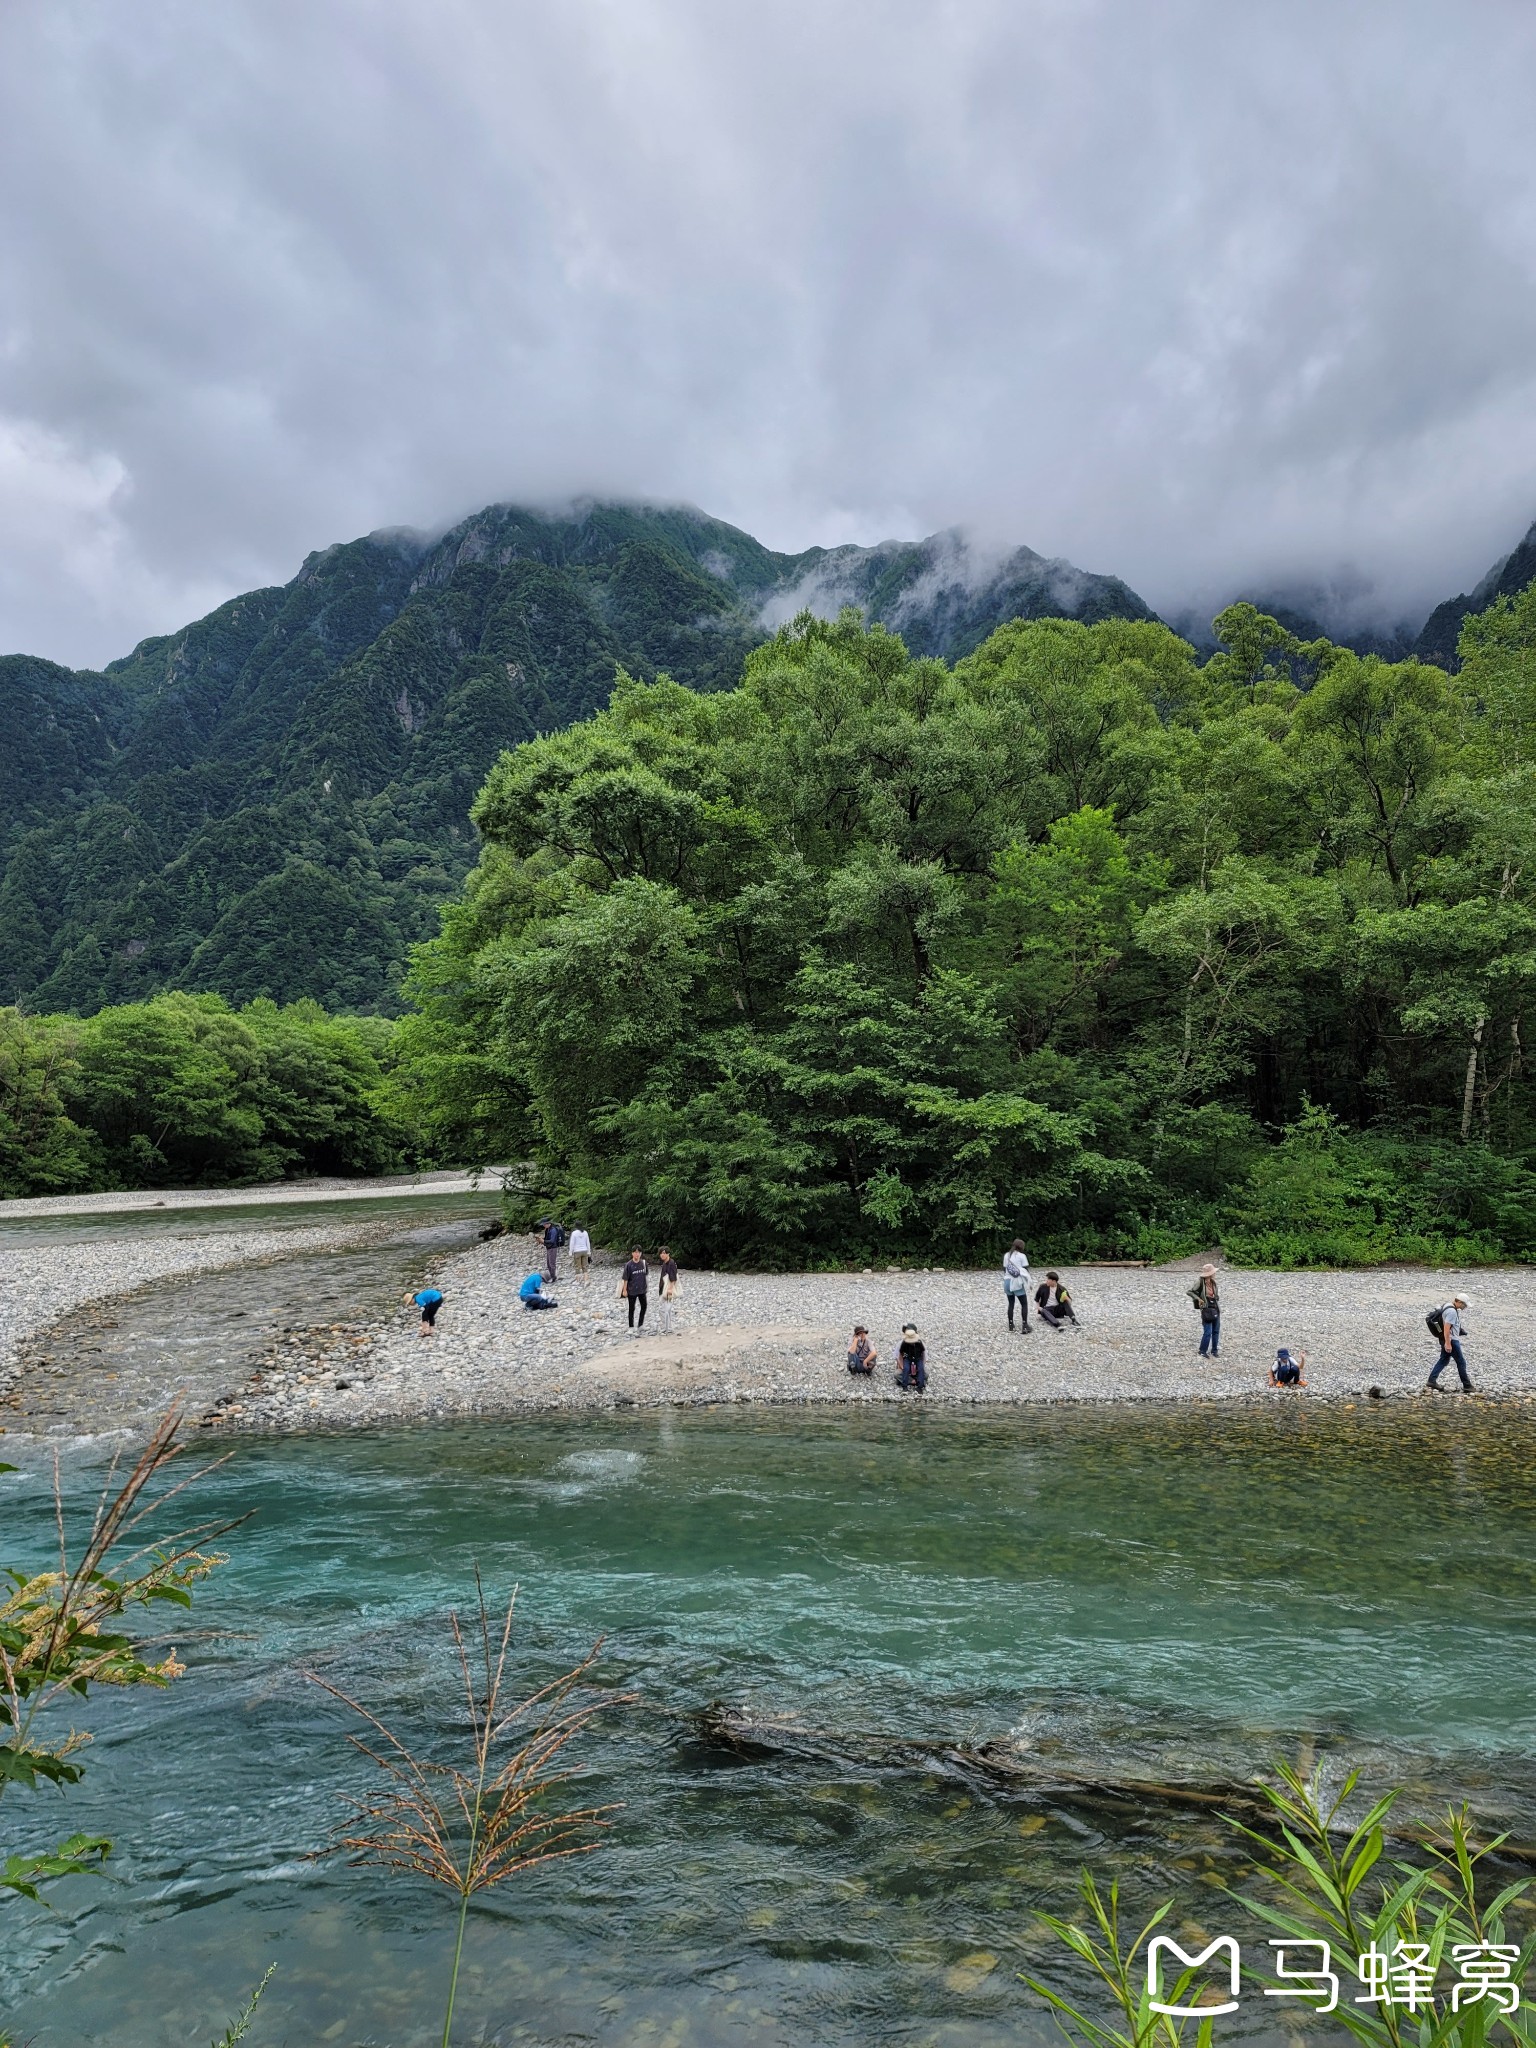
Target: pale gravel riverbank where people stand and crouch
(783,1336)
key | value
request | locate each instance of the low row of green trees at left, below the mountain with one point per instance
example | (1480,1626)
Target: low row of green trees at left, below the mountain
(189,1093)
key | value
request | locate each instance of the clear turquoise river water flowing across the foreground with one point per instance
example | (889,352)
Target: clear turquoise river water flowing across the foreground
(1125,1594)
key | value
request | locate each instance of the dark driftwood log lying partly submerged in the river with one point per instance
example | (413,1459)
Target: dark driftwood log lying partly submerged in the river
(1005,1768)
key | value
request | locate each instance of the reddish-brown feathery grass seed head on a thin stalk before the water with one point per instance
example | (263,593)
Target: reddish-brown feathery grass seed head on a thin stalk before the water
(472,1828)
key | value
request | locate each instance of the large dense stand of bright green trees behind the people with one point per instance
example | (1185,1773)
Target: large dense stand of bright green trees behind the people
(1080,937)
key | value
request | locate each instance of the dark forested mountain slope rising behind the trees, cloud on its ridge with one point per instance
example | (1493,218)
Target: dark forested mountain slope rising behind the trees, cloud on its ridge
(273,802)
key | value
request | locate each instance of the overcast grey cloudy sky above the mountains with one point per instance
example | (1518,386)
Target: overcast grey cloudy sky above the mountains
(1209,296)
